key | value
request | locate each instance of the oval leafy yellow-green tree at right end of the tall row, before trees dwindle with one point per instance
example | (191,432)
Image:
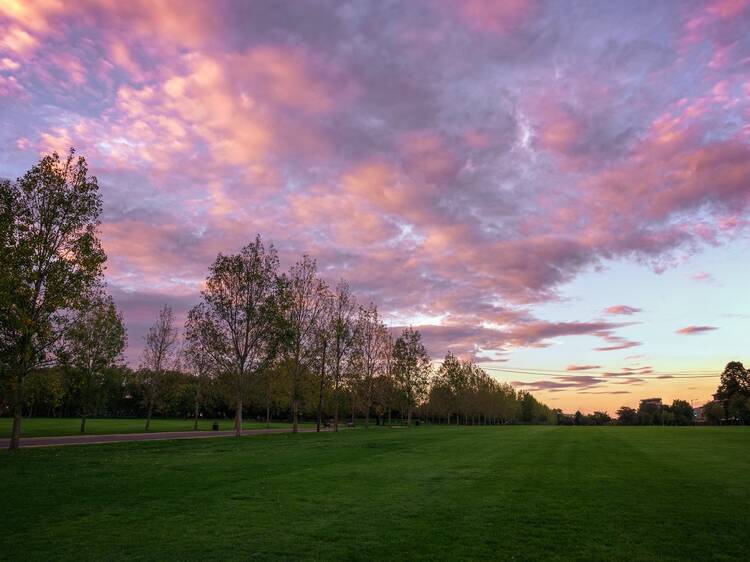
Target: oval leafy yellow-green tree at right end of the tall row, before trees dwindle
(411,368)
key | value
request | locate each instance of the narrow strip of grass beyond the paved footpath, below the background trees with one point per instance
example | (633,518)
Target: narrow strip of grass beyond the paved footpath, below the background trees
(52,427)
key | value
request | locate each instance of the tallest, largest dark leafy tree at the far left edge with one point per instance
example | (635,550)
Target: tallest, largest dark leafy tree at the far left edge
(49,257)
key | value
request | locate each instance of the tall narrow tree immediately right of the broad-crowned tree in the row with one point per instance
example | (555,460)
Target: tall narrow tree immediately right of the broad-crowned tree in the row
(305,300)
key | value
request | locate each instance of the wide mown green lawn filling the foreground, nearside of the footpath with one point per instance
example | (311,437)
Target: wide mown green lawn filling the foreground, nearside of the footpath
(509,493)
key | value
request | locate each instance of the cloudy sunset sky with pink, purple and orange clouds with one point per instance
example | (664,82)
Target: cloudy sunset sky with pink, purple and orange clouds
(557,189)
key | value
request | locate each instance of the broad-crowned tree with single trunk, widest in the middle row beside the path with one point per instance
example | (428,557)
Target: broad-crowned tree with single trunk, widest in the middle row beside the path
(237,321)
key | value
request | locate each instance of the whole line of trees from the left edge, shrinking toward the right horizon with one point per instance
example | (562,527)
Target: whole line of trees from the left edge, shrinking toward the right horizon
(258,340)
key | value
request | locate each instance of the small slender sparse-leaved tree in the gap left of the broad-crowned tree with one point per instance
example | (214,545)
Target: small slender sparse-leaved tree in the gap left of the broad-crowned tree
(158,355)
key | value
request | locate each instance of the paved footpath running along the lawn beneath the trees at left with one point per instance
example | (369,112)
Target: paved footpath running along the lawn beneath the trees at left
(155,436)
